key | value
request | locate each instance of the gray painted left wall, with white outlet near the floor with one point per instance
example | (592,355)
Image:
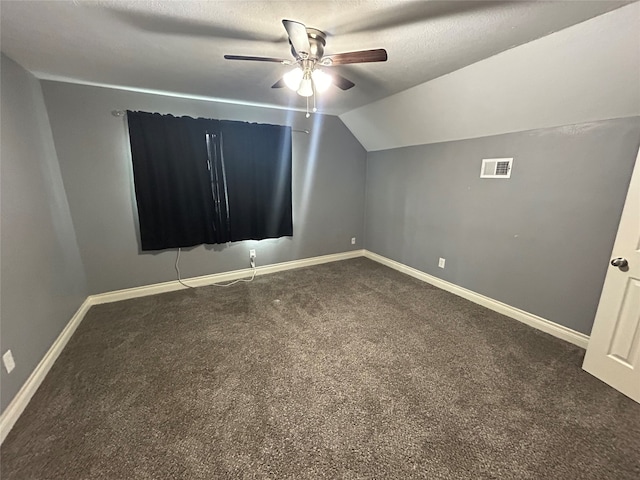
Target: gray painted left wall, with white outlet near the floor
(43,281)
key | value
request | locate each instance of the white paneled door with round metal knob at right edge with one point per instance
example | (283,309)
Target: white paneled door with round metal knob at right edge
(613,354)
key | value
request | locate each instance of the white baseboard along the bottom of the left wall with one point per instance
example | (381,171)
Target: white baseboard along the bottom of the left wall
(22,398)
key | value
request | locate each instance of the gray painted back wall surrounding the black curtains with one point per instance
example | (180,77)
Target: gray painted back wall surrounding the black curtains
(328,186)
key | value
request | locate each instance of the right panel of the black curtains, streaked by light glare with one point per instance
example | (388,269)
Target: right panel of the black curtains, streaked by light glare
(257,163)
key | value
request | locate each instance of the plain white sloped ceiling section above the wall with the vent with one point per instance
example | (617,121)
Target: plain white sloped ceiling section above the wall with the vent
(585,73)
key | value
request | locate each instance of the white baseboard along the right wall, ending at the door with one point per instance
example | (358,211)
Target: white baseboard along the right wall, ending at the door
(547,326)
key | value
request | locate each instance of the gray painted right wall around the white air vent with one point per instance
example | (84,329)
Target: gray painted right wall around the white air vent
(539,241)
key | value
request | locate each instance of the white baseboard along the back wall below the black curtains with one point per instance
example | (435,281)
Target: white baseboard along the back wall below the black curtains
(225,277)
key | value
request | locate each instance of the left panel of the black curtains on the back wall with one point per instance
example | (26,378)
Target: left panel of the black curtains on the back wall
(172,180)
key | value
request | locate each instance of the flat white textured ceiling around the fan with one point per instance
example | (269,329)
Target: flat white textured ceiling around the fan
(178,46)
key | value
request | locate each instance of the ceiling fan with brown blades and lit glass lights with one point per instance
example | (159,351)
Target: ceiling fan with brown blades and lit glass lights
(307,48)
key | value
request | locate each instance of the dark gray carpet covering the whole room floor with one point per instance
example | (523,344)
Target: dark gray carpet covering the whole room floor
(344,370)
